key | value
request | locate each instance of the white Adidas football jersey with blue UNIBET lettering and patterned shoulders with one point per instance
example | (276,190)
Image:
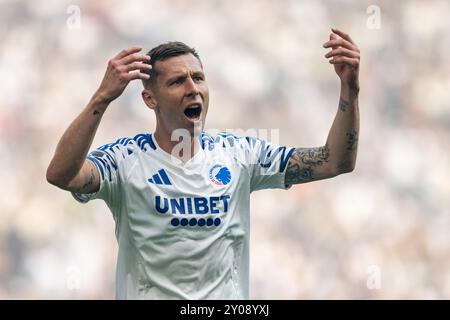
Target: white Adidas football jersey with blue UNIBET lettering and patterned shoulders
(183,229)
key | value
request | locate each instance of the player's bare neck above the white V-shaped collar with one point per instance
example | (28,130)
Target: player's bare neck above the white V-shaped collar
(181,144)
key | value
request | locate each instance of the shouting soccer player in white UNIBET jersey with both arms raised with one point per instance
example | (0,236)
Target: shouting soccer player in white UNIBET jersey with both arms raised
(182,214)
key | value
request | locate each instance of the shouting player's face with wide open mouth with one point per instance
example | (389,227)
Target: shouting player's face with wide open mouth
(181,93)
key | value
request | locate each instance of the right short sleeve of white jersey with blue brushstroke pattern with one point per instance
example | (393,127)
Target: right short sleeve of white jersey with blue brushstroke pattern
(268,162)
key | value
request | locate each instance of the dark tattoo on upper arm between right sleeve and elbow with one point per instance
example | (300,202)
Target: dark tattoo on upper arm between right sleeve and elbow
(305,164)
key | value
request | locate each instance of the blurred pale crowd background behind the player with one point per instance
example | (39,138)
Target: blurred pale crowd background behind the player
(382,231)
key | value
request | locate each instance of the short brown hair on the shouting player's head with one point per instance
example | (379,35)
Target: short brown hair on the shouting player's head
(165,51)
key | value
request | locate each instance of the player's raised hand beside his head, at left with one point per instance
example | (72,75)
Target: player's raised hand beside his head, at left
(121,70)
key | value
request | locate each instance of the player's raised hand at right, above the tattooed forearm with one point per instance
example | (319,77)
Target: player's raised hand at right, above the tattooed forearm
(345,57)
